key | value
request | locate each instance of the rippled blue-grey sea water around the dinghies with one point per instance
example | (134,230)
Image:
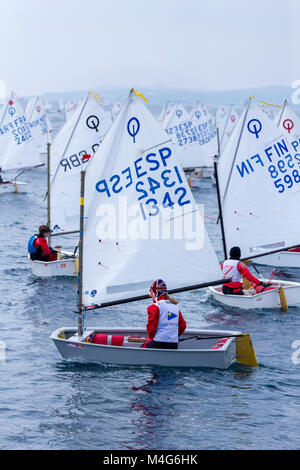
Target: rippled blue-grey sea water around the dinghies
(46,403)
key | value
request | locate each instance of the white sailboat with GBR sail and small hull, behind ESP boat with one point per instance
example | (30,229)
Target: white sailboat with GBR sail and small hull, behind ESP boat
(71,151)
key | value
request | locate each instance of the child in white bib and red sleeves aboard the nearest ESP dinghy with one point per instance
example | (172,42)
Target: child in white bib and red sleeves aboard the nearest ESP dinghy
(165,321)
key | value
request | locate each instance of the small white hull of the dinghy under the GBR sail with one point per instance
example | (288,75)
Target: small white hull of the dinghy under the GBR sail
(63,267)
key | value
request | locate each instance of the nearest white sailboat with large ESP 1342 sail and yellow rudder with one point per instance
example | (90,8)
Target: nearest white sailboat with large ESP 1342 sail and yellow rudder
(136,170)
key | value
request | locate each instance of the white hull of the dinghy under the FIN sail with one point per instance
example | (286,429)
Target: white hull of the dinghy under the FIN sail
(269,299)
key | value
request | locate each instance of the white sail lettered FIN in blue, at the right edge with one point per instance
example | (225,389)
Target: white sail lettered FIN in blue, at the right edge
(259,173)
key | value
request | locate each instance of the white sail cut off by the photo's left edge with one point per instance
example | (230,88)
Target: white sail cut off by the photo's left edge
(18,149)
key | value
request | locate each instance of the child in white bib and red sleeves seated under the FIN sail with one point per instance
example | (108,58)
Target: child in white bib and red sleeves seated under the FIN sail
(233,268)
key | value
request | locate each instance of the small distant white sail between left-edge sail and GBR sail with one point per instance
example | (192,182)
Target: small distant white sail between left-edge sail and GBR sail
(40,125)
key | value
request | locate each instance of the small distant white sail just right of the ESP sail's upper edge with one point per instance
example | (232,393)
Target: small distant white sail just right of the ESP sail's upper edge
(183,132)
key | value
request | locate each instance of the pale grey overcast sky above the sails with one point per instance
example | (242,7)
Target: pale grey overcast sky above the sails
(64,45)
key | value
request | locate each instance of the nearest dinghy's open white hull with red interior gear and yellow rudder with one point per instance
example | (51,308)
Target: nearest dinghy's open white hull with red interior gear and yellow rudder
(197,348)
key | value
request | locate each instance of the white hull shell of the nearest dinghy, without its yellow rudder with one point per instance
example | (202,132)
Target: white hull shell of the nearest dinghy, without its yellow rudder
(191,353)
